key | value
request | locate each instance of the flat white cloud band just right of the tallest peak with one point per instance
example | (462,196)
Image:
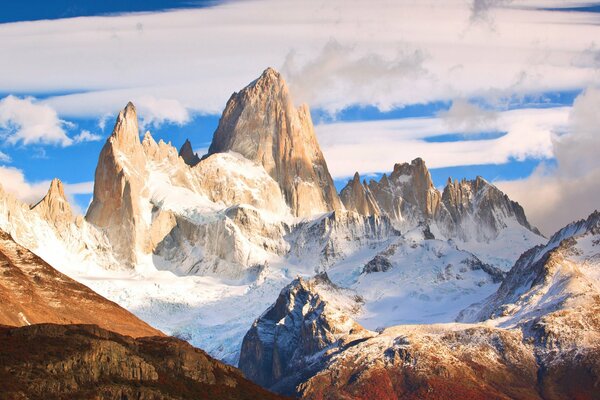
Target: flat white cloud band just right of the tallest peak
(375,146)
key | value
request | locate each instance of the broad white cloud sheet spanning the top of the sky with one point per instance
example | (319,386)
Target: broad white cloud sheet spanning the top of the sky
(385,53)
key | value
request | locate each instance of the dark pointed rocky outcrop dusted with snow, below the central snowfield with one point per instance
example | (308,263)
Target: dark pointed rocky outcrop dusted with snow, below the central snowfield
(308,318)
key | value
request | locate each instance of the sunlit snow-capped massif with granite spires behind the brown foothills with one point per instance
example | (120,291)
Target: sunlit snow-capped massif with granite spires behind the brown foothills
(200,248)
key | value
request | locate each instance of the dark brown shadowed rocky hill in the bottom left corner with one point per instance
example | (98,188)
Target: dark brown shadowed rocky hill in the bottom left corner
(85,362)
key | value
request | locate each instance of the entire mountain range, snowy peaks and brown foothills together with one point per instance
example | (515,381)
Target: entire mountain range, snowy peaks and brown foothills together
(389,289)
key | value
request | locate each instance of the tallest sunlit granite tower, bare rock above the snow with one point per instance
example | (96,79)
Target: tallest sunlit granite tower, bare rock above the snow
(262,124)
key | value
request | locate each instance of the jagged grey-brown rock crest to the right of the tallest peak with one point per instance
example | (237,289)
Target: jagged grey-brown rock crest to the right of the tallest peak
(467,210)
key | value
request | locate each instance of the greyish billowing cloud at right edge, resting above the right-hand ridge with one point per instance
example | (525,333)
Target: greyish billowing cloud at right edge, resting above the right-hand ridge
(554,196)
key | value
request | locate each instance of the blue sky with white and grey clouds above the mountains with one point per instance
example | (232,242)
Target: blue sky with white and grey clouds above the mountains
(509,90)
